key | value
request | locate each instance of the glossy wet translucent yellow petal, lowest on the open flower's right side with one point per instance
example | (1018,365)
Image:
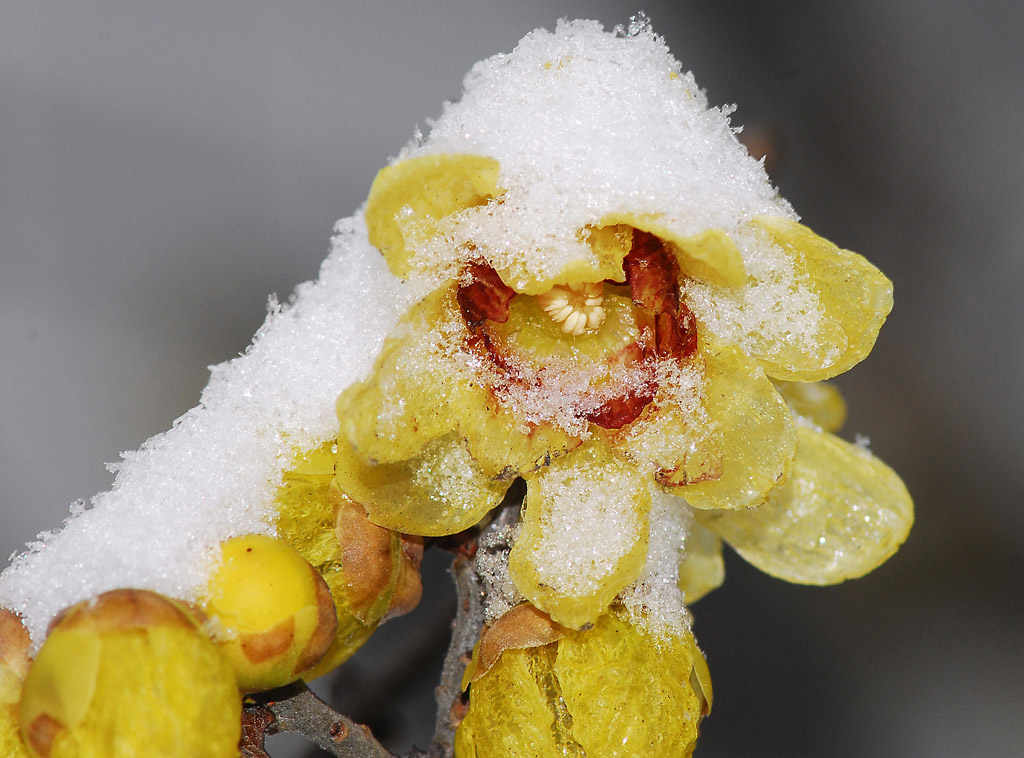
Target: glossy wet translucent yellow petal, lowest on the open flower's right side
(841,515)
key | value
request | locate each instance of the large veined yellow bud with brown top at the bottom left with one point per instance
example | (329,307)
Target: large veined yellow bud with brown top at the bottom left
(131,673)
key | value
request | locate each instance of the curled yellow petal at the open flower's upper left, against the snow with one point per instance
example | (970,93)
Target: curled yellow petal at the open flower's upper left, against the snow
(408,200)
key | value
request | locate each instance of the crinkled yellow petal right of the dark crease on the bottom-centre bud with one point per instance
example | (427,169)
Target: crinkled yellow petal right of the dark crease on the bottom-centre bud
(630,696)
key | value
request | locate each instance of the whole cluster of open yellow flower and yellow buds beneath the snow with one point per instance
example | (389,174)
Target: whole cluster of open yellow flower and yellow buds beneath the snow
(611,383)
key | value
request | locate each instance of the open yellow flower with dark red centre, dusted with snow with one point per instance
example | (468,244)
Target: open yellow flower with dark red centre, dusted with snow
(649,361)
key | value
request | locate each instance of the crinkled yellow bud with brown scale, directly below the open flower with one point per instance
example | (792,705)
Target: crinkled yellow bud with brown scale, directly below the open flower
(612,691)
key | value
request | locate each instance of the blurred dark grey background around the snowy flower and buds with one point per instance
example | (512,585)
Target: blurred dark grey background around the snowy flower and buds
(165,166)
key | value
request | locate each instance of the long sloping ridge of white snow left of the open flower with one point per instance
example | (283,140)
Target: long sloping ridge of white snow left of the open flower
(215,474)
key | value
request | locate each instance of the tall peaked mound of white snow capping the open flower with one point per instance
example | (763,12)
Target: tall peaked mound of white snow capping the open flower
(585,124)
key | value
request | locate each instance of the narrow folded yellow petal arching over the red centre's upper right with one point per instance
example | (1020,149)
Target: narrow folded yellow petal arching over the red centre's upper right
(710,257)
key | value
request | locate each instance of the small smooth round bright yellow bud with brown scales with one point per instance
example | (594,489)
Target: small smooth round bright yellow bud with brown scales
(271,613)
